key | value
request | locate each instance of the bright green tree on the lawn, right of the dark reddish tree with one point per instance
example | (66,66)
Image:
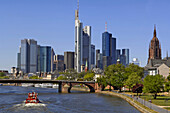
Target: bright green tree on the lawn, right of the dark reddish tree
(153,84)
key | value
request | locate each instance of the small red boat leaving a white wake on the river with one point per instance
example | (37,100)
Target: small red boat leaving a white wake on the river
(32,98)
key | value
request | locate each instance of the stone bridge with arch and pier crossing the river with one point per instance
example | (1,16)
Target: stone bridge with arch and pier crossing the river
(64,85)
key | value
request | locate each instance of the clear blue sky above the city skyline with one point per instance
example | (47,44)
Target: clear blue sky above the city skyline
(51,22)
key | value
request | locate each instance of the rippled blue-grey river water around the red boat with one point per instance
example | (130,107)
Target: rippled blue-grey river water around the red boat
(12,97)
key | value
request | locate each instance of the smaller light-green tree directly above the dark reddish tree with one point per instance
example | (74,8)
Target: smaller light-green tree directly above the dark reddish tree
(132,80)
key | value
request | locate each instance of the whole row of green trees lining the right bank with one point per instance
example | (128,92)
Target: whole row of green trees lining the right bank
(118,76)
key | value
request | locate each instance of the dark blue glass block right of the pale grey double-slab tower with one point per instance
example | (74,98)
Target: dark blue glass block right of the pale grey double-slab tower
(45,59)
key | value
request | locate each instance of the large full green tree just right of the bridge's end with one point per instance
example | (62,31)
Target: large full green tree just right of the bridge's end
(115,75)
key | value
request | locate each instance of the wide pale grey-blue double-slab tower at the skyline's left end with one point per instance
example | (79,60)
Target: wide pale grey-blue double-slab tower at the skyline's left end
(29,56)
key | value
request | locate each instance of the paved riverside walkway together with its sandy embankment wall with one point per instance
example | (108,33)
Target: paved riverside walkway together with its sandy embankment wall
(144,106)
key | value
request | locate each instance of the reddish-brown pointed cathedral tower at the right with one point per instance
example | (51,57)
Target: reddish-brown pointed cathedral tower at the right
(154,47)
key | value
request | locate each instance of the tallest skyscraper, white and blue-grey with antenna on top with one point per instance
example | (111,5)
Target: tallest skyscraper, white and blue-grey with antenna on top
(82,44)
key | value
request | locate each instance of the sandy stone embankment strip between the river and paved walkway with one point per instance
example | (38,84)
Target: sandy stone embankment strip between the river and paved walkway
(134,103)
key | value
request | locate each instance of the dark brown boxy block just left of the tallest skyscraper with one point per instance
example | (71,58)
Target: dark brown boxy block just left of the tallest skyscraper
(69,60)
